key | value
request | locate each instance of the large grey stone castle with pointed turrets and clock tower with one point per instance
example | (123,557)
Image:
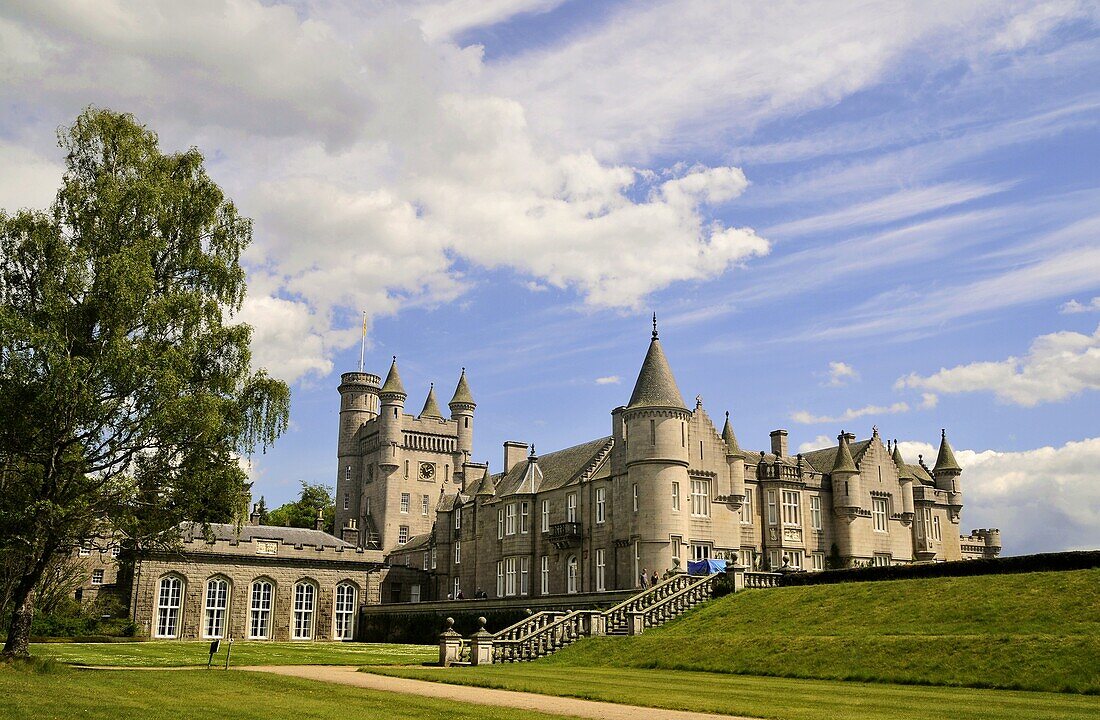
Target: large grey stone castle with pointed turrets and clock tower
(667,486)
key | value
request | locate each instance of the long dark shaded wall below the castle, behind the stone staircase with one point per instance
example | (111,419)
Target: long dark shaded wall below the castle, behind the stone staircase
(423,623)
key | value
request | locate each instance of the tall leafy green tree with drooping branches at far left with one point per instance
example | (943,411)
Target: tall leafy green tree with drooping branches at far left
(127,391)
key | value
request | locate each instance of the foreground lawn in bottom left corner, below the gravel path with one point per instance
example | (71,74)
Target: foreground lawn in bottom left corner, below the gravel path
(197,695)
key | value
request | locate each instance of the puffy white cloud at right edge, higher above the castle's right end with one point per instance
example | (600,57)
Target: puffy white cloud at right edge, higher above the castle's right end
(1058,367)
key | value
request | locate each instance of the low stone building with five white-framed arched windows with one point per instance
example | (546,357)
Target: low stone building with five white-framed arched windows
(255,583)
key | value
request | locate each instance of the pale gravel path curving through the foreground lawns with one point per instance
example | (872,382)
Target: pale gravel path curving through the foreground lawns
(576,707)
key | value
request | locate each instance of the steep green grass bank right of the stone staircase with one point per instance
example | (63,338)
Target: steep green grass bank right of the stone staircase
(1036,632)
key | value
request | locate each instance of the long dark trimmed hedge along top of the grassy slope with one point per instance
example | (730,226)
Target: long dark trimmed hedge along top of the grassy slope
(1043,562)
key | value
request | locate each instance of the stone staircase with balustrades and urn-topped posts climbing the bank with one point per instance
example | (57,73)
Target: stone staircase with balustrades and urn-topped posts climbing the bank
(547,633)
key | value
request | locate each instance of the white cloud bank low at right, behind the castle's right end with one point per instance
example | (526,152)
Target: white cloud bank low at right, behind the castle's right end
(1044,500)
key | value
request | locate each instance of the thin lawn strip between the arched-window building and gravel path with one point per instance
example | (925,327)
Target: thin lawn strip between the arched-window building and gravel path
(179,653)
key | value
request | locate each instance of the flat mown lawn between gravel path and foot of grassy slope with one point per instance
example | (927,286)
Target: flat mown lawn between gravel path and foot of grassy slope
(766,697)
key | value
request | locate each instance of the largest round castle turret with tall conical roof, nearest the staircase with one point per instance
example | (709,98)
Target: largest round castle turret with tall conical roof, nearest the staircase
(656,424)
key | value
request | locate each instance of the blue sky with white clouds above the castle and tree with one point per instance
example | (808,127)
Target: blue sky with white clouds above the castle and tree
(845,215)
